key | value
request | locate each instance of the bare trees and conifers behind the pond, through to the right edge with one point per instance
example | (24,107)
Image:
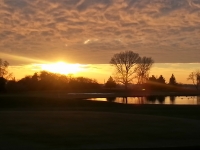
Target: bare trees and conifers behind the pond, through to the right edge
(130,66)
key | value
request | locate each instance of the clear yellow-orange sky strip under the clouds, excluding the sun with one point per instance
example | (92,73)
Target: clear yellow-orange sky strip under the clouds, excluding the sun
(101,72)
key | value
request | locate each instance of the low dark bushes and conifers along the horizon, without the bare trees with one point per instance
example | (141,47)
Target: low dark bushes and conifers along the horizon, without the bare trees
(45,80)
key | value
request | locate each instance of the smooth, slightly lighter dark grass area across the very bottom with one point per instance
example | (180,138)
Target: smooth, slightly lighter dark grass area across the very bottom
(94,130)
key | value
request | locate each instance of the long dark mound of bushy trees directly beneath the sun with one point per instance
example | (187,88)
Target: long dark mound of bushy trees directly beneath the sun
(51,81)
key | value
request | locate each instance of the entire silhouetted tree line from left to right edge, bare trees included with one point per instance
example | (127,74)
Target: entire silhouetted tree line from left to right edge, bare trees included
(129,67)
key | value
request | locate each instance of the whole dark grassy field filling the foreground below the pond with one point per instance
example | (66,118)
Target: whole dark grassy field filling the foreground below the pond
(56,122)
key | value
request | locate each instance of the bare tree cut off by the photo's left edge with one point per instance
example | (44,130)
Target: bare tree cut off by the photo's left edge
(4,73)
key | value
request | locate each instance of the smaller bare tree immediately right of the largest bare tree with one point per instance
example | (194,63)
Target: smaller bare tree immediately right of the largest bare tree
(142,69)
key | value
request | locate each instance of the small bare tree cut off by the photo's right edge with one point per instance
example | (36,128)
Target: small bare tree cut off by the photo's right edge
(195,77)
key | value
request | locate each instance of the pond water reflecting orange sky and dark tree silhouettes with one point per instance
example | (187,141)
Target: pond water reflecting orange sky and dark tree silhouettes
(173,100)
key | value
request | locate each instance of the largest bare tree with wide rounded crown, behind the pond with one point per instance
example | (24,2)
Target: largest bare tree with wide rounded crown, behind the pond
(124,63)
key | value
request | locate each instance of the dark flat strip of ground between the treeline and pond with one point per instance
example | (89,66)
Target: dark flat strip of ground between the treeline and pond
(72,95)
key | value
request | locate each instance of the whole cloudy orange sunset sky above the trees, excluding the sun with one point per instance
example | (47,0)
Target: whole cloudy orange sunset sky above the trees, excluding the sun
(92,31)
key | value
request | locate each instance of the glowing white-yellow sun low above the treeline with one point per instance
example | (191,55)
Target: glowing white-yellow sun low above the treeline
(62,68)
